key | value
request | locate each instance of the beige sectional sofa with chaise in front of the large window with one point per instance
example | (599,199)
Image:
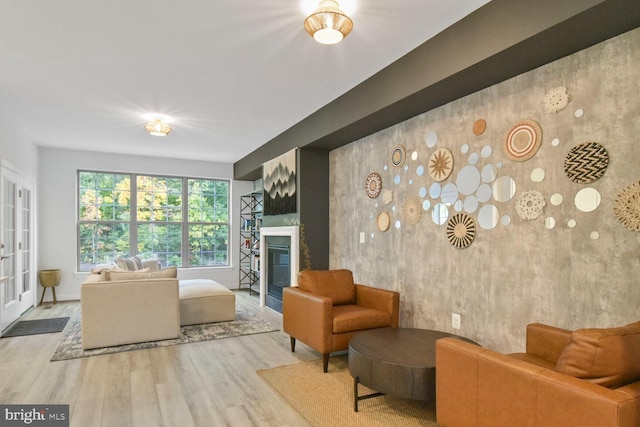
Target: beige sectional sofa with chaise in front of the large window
(124,307)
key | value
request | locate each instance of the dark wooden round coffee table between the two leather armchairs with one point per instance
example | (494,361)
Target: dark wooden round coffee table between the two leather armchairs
(395,361)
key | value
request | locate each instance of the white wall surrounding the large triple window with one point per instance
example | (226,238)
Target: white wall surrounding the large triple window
(58,211)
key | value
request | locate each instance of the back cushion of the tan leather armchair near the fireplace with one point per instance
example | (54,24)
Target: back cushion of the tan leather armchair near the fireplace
(335,284)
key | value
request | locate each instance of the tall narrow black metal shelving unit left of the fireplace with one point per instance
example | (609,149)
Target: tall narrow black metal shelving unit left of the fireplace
(250,222)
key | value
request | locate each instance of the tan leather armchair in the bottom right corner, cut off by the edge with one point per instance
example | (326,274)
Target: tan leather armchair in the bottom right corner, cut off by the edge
(584,378)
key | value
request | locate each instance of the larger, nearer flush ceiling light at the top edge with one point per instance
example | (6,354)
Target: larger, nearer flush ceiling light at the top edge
(328,24)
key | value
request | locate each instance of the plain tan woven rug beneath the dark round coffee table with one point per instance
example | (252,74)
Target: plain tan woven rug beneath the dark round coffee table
(326,400)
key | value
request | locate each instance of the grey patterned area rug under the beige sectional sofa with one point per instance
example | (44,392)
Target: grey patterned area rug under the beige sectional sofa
(245,324)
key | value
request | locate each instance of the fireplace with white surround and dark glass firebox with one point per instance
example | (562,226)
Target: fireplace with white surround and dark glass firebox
(279,267)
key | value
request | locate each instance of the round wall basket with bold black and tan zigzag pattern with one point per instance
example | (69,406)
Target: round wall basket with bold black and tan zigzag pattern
(586,162)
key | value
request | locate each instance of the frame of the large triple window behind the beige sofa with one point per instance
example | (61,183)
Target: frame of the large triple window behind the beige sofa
(133,222)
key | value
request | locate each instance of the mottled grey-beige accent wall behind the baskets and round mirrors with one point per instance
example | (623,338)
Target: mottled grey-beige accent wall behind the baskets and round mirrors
(513,274)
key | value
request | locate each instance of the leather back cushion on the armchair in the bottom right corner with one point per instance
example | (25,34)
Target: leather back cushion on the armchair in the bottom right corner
(608,357)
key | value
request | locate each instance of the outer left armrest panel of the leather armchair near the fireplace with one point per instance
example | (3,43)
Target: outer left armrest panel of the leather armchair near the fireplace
(308,318)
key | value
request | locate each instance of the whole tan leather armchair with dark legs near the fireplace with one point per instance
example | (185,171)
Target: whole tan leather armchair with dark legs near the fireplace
(328,308)
